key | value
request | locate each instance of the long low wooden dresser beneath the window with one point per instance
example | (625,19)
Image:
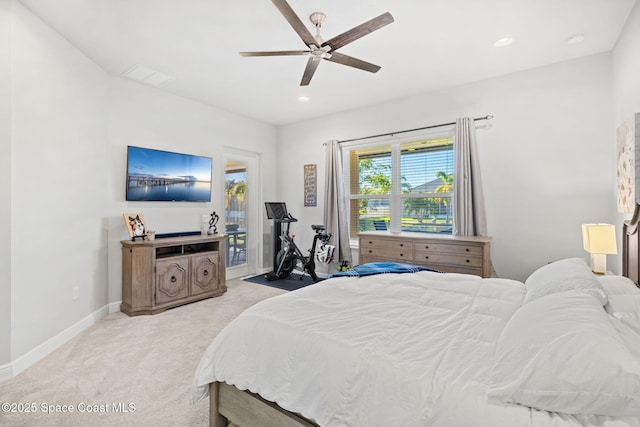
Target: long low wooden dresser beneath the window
(452,254)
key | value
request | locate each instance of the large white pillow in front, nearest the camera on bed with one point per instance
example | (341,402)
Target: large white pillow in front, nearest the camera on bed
(560,353)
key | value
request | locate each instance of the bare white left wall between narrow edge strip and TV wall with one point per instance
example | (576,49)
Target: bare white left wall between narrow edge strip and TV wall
(58,179)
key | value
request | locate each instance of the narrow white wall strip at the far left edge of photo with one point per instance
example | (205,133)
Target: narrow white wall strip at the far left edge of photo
(5,179)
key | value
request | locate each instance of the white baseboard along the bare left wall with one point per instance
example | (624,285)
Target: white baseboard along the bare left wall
(32,357)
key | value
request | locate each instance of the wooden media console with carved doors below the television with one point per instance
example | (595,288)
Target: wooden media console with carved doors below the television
(164,273)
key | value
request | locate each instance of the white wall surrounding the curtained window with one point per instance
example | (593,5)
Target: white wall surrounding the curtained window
(547,162)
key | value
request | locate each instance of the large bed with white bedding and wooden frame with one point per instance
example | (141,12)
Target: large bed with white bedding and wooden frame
(431,349)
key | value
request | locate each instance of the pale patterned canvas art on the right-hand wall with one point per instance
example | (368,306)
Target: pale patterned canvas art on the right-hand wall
(628,170)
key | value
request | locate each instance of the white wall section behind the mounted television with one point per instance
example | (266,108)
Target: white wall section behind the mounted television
(144,116)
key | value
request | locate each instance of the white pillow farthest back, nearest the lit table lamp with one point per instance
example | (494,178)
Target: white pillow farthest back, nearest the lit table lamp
(563,275)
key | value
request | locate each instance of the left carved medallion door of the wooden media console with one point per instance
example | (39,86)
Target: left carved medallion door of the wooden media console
(172,279)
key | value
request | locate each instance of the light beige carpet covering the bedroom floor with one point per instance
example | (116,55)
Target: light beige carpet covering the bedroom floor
(143,365)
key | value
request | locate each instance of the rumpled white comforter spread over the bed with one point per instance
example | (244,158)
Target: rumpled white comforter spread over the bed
(387,350)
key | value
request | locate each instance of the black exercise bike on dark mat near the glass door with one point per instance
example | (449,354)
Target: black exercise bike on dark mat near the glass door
(290,255)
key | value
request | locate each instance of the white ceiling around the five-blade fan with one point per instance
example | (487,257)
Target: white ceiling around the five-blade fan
(431,45)
